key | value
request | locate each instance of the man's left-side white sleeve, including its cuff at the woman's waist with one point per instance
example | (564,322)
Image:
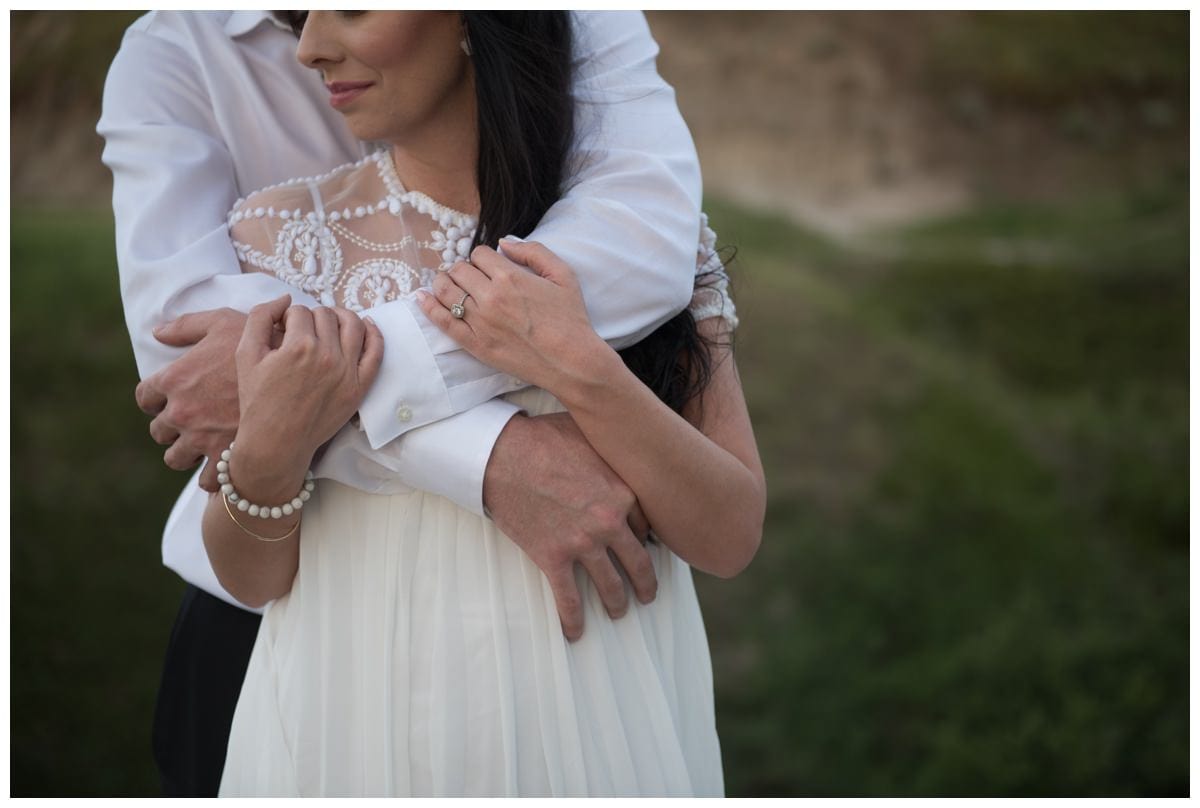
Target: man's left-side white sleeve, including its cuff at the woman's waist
(173,187)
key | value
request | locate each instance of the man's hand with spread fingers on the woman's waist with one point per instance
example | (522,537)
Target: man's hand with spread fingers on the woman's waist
(548,490)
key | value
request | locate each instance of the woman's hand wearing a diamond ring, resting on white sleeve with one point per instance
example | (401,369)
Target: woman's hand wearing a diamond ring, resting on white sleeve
(524,314)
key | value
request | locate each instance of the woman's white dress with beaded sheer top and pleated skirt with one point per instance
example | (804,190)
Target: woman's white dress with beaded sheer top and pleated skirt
(419,651)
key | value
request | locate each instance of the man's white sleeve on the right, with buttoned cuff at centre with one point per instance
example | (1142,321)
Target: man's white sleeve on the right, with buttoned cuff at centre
(627,226)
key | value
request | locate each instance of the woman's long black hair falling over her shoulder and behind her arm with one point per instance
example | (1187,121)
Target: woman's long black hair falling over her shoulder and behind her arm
(526,119)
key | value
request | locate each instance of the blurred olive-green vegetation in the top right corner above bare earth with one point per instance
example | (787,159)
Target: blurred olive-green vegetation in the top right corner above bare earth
(1099,77)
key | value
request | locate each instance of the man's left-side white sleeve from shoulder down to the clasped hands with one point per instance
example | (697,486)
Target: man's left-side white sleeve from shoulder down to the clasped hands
(173,184)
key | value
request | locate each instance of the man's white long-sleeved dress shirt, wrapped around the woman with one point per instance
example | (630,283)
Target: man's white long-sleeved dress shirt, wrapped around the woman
(202,109)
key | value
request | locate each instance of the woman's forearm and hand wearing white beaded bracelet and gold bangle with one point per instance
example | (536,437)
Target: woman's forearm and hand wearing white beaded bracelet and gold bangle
(293,399)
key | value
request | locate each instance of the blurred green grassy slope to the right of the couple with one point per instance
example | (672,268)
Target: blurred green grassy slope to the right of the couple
(975,574)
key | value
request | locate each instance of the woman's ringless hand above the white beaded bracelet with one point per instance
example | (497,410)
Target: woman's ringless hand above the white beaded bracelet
(302,375)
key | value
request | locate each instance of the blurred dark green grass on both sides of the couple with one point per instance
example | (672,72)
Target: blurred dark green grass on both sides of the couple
(974,578)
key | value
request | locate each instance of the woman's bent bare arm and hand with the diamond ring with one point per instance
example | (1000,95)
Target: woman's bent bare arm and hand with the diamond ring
(699,480)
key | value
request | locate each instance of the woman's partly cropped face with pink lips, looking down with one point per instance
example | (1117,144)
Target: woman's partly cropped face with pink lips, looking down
(389,73)
